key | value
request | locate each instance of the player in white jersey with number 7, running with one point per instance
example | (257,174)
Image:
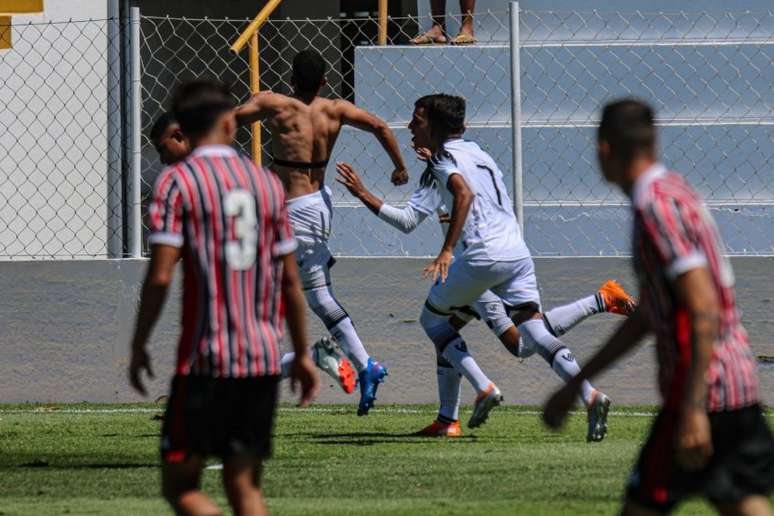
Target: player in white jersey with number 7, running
(483,250)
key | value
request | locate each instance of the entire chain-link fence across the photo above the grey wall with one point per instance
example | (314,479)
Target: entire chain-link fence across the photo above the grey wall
(707,74)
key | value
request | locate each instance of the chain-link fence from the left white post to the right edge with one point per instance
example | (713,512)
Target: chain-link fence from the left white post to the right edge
(707,75)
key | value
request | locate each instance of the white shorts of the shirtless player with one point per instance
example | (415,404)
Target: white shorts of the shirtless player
(310,218)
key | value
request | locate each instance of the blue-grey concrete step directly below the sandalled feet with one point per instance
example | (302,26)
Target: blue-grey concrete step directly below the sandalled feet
(568,84)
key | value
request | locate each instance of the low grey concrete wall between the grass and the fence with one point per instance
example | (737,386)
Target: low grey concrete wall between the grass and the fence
(66,330)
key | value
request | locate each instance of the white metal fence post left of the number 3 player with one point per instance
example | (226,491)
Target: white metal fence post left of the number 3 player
(134,213)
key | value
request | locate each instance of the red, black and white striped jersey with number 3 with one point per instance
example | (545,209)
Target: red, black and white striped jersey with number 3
(229,218)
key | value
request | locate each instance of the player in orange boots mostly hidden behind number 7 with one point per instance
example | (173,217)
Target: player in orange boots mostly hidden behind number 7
(611,297)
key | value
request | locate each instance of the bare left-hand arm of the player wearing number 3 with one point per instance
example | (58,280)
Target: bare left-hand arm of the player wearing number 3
(154,294)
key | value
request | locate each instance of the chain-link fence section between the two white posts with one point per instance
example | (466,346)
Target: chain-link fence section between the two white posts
(385,80)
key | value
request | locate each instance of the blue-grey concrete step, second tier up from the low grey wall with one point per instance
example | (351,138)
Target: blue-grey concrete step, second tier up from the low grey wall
(728,164)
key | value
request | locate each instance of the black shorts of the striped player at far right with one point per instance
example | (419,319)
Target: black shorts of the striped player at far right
(742,463)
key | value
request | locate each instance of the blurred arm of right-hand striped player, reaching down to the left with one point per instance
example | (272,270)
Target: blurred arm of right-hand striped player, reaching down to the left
(628,335)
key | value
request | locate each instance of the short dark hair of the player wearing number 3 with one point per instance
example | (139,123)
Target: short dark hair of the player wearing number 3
(198,104)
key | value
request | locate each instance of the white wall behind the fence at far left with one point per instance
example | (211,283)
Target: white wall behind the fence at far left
(53,133)
